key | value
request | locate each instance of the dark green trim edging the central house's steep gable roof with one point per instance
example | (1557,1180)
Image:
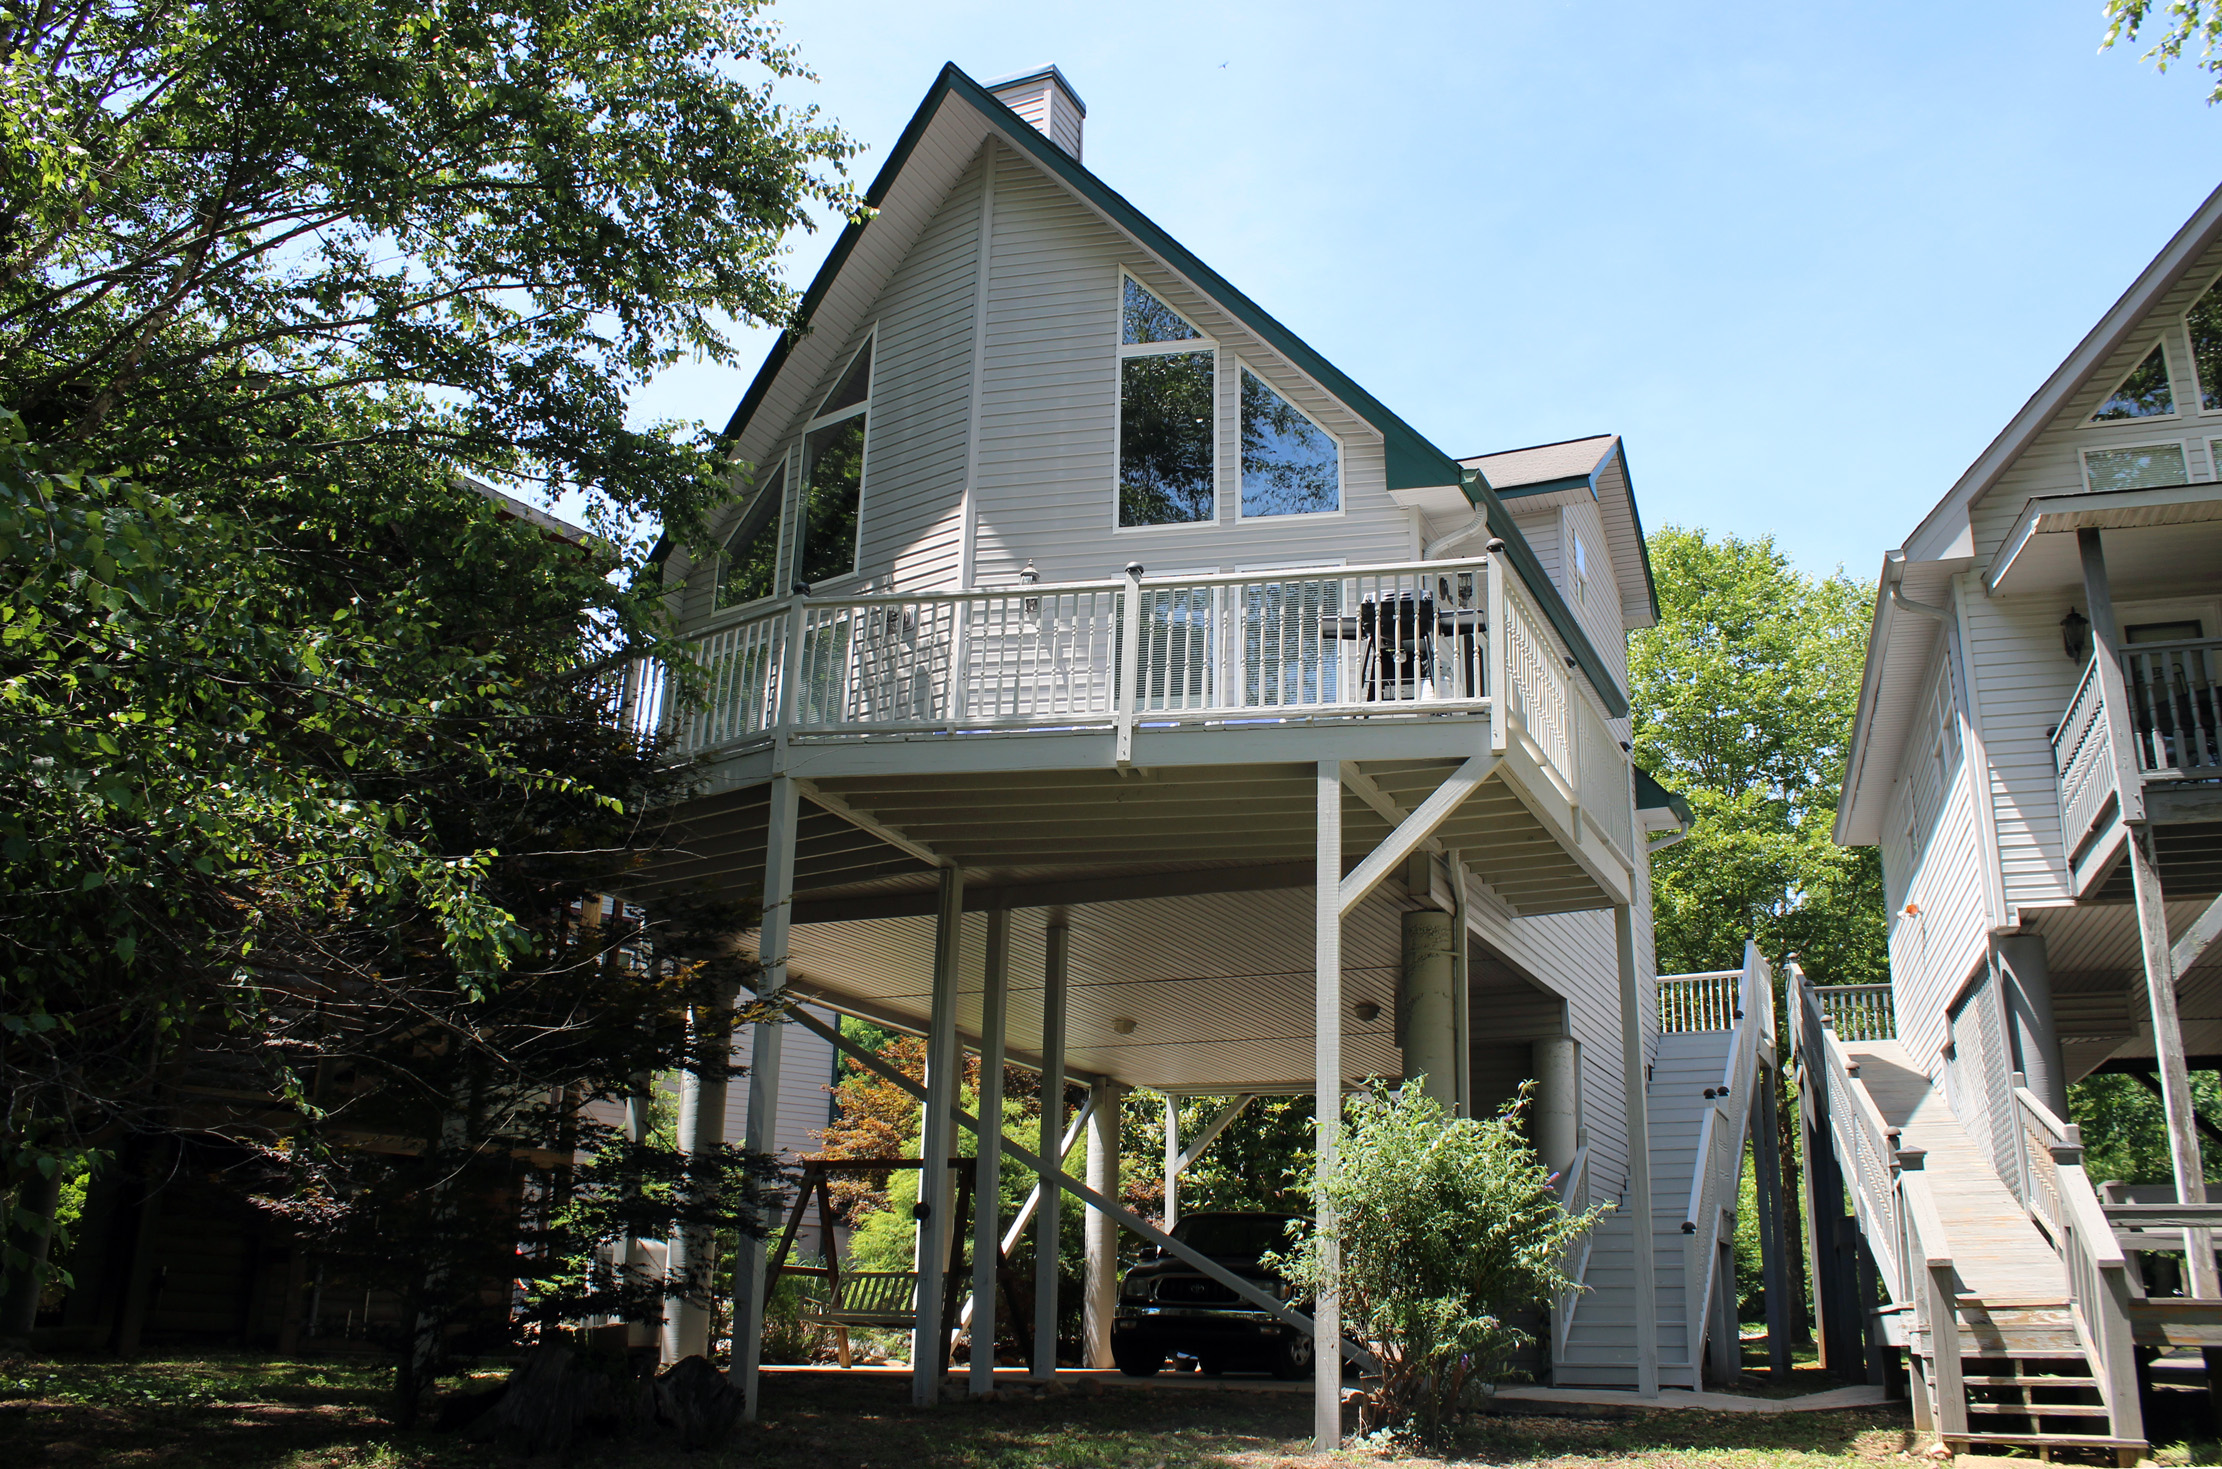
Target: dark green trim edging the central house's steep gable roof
(1410,459)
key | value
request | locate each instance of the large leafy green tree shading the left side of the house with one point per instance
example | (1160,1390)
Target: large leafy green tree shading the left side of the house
(272,277)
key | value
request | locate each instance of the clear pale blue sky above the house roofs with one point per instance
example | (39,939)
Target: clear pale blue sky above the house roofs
(1805,259)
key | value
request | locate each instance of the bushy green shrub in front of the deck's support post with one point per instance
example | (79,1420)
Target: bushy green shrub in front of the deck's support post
(1448,1230)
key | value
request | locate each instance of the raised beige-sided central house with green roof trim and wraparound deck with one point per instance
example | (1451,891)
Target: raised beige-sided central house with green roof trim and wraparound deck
(1085,643)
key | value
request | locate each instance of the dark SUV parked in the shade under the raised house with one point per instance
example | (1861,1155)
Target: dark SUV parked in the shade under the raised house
(1168,1308)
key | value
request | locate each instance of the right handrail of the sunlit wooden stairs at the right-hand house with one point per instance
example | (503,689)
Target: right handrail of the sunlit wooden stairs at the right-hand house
(2068,1210)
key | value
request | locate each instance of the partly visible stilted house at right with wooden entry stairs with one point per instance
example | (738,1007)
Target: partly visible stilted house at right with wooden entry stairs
(2036,755)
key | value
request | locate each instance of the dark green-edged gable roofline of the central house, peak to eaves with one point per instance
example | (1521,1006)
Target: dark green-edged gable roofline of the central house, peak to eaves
(1410,459)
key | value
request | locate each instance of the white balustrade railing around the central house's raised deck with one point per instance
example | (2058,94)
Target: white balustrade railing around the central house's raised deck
(1225,650)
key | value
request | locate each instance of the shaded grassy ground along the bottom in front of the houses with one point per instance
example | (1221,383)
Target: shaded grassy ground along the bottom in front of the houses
(241,1415)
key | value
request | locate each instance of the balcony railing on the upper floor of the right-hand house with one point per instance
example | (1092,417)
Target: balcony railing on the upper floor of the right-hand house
(2172,723)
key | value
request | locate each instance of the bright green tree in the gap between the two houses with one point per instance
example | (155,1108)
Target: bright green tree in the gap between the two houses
(1743,703)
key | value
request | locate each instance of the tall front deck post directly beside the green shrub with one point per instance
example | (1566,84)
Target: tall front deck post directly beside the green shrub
(1328,1099)
